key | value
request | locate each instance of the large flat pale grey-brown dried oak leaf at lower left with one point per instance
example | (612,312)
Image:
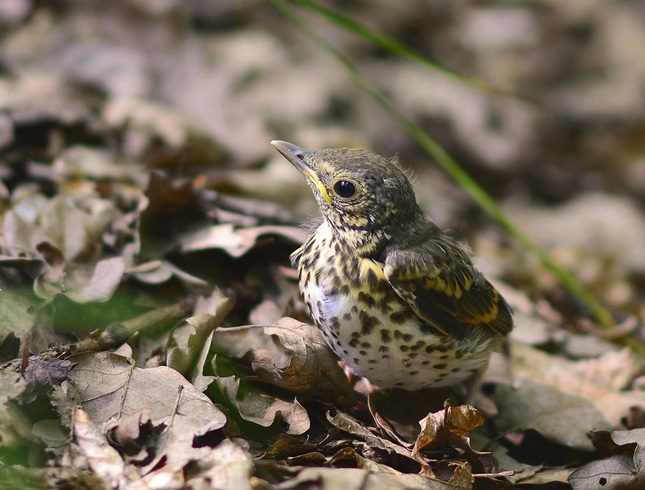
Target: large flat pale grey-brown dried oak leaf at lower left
(110,389)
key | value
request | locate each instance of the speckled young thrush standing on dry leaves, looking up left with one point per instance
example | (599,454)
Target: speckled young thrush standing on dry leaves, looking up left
(396,298)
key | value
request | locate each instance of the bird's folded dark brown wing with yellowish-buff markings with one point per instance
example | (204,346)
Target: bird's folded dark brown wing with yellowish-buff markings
(444,289)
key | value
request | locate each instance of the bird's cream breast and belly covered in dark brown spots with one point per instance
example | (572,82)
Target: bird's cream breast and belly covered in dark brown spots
(372,330)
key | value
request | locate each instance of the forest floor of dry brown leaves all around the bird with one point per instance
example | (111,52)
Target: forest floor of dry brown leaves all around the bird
(151,329)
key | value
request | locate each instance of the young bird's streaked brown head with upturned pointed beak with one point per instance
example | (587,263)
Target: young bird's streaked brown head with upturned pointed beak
(366,199)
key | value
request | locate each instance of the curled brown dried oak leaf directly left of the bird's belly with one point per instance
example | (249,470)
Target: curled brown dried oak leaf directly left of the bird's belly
(289,354)
